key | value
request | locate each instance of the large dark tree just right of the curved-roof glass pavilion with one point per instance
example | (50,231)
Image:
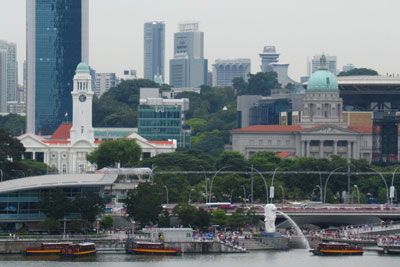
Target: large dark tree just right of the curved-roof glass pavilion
(144,203)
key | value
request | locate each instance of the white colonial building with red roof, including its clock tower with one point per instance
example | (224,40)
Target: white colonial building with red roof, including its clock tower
(67,148)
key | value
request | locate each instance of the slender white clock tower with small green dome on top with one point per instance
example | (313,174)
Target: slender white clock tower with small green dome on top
(82,98)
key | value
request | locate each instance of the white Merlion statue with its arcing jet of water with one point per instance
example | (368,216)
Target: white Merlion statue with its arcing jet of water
(270,212)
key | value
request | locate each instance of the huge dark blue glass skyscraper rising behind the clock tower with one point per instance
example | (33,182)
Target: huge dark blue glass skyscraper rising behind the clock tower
(57,40)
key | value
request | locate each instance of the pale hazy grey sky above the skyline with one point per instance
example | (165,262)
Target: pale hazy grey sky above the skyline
(363,32)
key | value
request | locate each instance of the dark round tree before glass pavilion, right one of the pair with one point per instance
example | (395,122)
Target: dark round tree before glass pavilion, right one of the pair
(89,205)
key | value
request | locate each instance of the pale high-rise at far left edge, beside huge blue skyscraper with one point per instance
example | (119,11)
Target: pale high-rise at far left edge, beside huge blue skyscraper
(11,70)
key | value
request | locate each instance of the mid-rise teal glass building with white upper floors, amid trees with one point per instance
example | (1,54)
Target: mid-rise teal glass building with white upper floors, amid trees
(162,119)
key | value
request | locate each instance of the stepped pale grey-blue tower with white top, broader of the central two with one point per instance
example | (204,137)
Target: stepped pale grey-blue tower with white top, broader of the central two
(188,68)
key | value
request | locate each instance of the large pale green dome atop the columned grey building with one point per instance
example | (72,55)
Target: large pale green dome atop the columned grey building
(322,80)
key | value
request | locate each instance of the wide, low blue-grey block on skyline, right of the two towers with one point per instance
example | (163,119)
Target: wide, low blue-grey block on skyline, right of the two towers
(224,71)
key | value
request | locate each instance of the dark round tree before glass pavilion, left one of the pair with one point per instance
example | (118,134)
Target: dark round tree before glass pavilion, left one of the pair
(55,204)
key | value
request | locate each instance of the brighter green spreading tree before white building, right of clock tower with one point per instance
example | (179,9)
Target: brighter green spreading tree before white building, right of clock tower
(124,151)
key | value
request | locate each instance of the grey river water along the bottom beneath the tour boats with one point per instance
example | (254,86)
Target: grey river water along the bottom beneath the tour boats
(295,258)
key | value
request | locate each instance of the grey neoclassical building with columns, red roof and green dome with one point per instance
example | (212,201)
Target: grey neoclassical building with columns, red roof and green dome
(321,132)
